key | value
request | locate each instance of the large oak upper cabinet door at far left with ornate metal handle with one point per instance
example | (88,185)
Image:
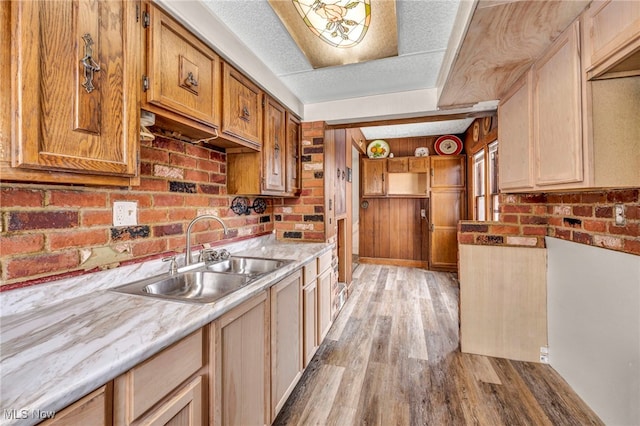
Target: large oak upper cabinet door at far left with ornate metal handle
(69,116)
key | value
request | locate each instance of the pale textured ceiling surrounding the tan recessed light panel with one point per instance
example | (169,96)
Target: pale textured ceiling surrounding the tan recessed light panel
(424,28)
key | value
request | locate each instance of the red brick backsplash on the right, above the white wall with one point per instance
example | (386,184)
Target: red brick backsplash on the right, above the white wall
(581,217)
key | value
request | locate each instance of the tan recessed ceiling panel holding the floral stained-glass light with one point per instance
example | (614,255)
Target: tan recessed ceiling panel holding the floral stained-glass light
(341,32)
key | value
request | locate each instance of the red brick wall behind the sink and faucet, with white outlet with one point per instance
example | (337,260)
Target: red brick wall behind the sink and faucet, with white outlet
(51,231)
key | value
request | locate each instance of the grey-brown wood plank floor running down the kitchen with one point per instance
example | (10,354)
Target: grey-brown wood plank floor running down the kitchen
(392,358)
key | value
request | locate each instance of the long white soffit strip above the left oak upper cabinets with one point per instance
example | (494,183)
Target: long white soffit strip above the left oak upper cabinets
(197,17)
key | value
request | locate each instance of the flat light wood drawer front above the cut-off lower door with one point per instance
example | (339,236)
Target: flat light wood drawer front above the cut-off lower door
(157,377)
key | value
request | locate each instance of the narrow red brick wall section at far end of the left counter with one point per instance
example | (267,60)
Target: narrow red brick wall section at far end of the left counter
(302,218)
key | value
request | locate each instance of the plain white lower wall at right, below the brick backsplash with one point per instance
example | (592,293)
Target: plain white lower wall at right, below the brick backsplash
(593,302)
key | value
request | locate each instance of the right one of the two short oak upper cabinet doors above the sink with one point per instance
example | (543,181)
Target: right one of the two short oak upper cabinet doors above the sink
(241,109)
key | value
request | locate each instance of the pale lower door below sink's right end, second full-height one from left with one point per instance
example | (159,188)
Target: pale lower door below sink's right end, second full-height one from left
(286,339)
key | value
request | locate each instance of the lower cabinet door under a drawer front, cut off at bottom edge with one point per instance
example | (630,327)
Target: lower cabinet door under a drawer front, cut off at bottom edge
(185,408)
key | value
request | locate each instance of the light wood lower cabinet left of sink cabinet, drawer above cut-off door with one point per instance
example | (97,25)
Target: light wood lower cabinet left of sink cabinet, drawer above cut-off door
(150,391)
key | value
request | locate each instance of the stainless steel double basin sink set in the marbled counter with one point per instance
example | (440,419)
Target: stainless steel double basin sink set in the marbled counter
(205,282)
